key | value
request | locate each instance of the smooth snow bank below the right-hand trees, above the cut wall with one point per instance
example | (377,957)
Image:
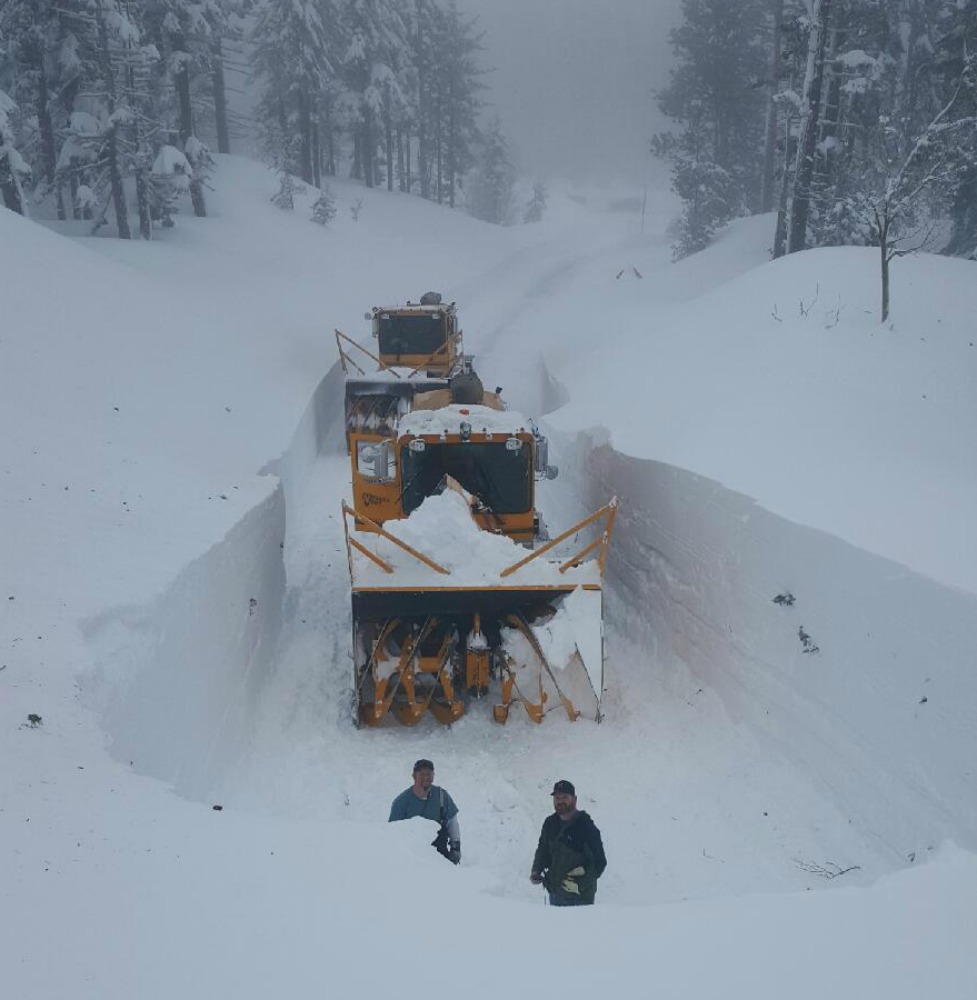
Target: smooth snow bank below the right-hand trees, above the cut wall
(782,385)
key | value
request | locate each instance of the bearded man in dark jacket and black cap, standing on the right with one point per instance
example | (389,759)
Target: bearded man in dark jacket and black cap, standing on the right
(570,856)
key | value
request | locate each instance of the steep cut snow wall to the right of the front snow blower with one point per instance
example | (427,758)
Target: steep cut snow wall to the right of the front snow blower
(882,714)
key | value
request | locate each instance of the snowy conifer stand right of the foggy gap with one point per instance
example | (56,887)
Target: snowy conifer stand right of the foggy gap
(853,119)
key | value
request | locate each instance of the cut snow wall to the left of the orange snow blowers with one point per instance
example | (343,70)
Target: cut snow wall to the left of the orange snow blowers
(178,683)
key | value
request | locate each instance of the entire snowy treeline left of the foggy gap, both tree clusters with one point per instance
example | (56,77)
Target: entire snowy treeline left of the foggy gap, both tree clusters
(110,105)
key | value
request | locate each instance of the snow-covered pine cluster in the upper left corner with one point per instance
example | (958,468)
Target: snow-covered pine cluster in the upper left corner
(101,102)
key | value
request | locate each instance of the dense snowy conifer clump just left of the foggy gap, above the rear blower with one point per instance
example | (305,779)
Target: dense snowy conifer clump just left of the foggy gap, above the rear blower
(385,90)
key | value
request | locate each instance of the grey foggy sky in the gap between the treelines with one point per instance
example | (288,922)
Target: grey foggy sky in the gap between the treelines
(573,81)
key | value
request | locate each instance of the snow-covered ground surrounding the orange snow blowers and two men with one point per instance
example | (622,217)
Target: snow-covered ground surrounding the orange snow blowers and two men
(175,608)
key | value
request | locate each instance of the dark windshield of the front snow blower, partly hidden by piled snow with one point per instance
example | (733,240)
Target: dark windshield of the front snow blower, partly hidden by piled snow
(500,478)
